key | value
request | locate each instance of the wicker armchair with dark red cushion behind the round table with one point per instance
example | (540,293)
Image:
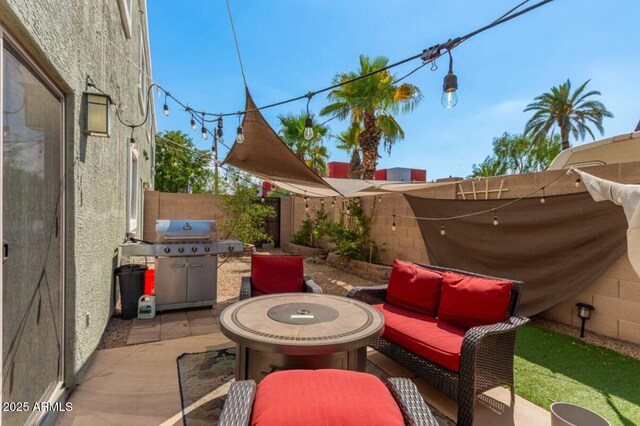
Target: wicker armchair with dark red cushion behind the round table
(276,274)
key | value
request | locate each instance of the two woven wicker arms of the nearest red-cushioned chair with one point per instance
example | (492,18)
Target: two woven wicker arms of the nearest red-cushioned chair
(415,412)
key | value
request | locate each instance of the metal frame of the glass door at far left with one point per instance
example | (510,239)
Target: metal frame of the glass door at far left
(54,392)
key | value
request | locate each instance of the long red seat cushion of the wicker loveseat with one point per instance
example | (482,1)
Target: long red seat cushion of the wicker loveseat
(424,335)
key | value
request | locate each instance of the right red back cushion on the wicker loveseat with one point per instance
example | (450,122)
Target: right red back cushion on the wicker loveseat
(471,301)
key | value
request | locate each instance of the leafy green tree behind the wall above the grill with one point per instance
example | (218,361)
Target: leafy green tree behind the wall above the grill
(179,163)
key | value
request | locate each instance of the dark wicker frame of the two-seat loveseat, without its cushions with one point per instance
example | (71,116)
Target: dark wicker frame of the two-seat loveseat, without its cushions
(486,359)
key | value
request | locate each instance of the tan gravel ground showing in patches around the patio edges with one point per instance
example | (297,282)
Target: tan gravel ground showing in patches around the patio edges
(332,281)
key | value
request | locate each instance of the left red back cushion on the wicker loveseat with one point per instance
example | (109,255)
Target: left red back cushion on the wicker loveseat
(414,288)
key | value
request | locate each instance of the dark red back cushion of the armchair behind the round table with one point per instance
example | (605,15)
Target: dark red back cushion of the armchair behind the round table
(277,274)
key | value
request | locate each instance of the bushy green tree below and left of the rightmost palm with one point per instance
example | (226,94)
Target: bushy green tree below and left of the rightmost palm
(514,154)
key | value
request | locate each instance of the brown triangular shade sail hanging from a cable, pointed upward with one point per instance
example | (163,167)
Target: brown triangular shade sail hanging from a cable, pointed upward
(266,156)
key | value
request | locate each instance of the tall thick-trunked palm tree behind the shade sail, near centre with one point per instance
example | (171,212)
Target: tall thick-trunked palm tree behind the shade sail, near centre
(372,102)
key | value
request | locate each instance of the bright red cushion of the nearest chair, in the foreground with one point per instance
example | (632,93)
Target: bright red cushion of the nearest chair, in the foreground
(324,397)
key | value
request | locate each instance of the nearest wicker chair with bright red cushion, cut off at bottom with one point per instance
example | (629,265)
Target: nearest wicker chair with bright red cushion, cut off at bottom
(325,397)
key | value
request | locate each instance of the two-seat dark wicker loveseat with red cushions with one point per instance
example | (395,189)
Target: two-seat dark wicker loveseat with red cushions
(453,328)
